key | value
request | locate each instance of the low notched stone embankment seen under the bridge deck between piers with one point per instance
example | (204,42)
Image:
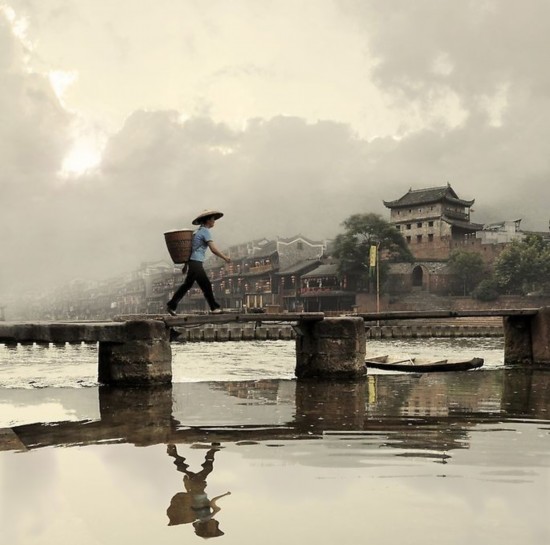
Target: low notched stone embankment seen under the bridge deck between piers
(457,327)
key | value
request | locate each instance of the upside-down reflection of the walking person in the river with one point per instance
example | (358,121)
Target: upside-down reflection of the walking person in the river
(194,505)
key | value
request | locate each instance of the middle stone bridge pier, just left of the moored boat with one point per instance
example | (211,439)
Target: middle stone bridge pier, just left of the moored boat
(333,348)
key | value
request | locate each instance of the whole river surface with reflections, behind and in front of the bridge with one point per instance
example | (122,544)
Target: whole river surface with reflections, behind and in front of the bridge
(394,458)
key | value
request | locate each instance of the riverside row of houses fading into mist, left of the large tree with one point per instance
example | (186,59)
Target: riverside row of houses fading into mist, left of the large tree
(292,274)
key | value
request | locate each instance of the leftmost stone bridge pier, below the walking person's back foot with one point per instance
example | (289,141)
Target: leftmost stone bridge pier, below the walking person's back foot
(141,355)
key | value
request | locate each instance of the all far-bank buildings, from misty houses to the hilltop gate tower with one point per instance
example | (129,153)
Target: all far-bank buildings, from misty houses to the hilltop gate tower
(297,273)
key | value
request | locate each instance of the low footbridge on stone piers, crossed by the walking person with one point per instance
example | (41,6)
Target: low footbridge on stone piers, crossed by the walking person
(136,349)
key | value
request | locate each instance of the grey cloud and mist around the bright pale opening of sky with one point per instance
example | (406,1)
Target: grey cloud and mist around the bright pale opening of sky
(284,175)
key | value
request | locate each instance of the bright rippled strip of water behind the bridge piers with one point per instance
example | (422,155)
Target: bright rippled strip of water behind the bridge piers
(76,365)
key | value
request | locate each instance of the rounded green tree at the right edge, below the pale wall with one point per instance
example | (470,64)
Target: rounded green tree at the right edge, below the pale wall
(524,266)
